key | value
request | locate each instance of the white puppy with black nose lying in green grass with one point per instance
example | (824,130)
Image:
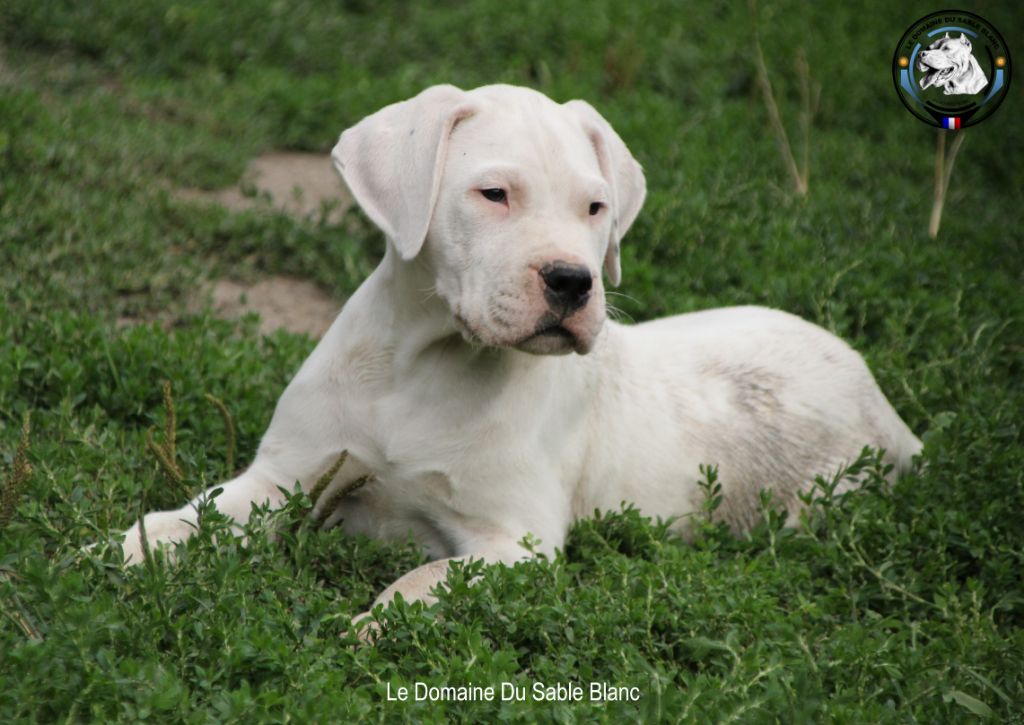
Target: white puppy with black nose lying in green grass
(475,376)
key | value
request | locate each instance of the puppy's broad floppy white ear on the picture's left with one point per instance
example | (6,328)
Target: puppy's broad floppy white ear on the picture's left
(393,161)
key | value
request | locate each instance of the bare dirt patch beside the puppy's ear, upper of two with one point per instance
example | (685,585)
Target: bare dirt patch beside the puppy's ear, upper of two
(302,185)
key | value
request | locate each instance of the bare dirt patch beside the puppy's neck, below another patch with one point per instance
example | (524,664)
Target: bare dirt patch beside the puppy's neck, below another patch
(282,303)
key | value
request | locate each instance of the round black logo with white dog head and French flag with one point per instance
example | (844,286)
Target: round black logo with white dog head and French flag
(952,69)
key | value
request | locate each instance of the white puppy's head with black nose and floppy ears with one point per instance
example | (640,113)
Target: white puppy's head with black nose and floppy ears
(514,202)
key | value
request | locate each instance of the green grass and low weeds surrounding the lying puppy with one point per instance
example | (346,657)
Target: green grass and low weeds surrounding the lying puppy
(890,605)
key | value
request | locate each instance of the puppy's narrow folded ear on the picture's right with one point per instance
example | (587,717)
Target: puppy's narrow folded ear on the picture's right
(624,176)
